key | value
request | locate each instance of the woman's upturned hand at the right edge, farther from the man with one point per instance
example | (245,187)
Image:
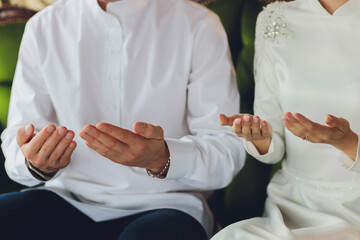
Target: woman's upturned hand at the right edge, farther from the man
(336,132)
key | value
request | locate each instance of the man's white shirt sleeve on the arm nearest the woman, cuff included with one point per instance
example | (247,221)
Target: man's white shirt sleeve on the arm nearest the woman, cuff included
(211,155)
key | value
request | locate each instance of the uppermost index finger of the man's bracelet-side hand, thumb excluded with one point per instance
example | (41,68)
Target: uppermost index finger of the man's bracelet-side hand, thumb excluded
(121,134)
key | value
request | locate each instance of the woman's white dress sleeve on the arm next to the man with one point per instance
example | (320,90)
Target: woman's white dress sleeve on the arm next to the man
(266,104)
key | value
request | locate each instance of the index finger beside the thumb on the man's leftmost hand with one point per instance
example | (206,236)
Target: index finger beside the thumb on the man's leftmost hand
(38,140)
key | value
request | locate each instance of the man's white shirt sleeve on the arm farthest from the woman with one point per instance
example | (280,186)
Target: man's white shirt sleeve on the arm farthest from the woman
(29,103)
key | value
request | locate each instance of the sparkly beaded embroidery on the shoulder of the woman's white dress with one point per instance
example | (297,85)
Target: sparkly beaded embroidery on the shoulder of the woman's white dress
(274,26)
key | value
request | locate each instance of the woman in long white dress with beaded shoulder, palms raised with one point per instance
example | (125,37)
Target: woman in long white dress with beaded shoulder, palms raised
(307,60)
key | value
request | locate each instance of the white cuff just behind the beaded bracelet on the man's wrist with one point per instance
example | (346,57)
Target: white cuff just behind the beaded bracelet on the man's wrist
(183,156)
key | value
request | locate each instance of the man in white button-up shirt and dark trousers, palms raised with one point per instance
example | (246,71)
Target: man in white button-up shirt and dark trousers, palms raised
(114,107)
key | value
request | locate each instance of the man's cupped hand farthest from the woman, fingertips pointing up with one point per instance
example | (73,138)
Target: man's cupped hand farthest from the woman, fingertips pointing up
(49,150)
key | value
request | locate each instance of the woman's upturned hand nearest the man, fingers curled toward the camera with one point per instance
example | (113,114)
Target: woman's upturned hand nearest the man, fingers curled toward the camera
(251,128)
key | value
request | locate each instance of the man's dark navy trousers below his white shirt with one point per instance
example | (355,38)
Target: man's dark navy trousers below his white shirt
(41,214)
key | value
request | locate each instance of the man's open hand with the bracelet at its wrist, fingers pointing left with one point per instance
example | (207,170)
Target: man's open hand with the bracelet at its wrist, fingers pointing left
(145,147)
